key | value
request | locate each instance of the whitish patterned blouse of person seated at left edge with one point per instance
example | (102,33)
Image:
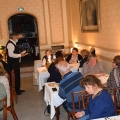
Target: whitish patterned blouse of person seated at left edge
(5,82)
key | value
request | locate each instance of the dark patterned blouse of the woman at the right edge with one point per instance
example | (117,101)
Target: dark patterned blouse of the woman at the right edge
(114,82)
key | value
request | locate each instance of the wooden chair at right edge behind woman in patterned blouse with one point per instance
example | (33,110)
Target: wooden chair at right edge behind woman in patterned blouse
(116,91)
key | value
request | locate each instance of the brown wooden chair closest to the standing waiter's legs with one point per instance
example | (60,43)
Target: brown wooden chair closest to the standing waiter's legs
(13,96)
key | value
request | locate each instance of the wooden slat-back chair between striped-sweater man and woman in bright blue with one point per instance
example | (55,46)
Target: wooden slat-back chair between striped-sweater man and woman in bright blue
(83,98)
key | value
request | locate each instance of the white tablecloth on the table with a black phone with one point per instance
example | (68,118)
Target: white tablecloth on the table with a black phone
(52,98)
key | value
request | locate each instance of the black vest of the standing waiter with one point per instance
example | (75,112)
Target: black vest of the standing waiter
(12,61)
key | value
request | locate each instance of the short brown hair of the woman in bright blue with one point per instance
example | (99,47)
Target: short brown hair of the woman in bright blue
(91,80)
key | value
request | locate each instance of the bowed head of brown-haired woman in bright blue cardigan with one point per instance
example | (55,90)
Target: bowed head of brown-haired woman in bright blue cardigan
(91,84)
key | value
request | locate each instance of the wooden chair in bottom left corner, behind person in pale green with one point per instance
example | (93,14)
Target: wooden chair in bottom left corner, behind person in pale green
(4,106)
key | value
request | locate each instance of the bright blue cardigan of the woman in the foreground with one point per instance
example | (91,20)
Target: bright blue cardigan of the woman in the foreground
(101,106)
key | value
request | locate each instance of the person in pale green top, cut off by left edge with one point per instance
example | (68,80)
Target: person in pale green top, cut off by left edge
(2,95)
